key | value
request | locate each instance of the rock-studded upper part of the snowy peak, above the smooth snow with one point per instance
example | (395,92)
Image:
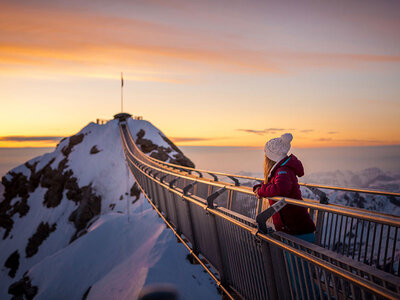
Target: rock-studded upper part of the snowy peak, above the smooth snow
(57,196)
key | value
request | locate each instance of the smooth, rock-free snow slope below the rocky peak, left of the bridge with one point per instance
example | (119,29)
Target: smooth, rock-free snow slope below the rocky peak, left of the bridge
(117,258)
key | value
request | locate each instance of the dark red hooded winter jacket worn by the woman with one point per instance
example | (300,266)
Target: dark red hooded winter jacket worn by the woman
(283,182)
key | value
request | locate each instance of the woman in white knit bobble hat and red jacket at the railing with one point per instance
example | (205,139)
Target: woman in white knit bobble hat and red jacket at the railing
(280,179)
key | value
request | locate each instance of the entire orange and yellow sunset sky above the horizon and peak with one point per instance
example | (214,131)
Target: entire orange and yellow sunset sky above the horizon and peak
(219,73)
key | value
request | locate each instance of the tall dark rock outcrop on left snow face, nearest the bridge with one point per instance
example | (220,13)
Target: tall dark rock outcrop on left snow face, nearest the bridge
(89,207)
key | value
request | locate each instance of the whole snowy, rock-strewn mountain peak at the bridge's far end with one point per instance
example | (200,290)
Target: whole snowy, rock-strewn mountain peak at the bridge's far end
(73,223)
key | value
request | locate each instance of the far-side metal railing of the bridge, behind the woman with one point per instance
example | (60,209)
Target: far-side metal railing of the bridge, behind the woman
(369,237)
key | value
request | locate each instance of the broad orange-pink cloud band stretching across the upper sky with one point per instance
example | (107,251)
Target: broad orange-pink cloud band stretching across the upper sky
(74,42)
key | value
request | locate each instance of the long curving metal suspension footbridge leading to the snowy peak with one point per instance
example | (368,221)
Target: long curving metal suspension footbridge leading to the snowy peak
(213,215)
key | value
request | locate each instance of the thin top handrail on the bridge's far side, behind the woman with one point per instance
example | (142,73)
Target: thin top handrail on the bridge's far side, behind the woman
(356,190)
